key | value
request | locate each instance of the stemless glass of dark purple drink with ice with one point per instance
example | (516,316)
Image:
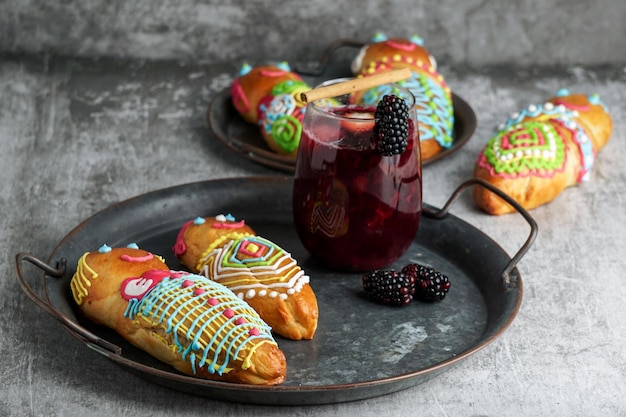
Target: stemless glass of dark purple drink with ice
(355,208)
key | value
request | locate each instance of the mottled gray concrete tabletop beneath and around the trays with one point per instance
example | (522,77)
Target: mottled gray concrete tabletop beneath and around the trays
(78,136)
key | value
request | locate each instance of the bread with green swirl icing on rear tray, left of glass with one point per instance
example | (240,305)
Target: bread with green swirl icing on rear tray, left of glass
(266,96)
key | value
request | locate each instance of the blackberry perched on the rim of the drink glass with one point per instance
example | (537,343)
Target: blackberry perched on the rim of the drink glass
(391,127)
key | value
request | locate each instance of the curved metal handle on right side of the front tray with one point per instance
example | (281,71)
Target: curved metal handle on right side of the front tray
(510,273)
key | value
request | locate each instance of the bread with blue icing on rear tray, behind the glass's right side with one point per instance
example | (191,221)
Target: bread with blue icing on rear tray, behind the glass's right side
(433,97)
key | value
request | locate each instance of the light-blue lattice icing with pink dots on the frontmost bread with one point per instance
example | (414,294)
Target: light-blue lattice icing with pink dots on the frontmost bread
(211,335)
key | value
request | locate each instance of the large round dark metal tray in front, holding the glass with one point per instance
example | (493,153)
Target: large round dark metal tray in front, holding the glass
(361,349)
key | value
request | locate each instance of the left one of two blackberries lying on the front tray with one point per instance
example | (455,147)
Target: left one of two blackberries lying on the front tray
(388,287)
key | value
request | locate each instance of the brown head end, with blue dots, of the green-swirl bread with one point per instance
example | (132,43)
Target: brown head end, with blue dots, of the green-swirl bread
(254,83)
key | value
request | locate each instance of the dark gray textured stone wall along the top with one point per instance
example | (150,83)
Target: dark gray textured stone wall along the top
(469,32)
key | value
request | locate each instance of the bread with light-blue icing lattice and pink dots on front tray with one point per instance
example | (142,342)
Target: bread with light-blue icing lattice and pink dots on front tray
(190,322)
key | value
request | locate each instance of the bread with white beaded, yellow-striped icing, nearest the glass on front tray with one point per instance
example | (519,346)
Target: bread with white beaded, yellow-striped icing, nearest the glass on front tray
(256,269)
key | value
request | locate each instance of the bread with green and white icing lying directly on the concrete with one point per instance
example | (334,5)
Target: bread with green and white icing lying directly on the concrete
(542,150)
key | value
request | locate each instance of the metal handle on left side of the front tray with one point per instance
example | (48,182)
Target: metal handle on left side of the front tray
(81,333)
